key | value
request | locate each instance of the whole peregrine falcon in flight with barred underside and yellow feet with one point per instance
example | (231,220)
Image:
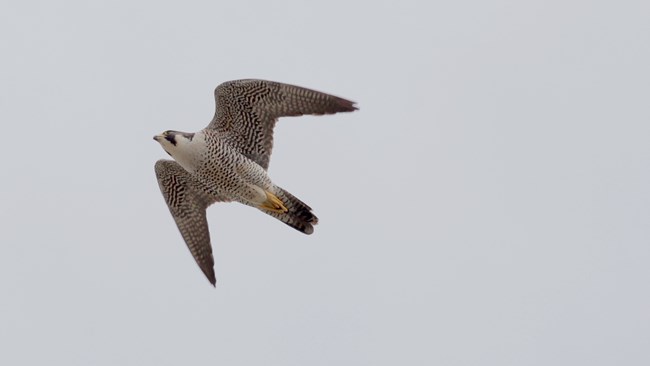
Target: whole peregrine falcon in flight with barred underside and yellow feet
(228,160)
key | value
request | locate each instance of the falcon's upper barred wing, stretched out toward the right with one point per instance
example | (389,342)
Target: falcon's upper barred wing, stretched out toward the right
(248,109)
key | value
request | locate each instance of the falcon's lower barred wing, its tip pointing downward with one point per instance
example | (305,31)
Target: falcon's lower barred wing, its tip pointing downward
(187,205)
